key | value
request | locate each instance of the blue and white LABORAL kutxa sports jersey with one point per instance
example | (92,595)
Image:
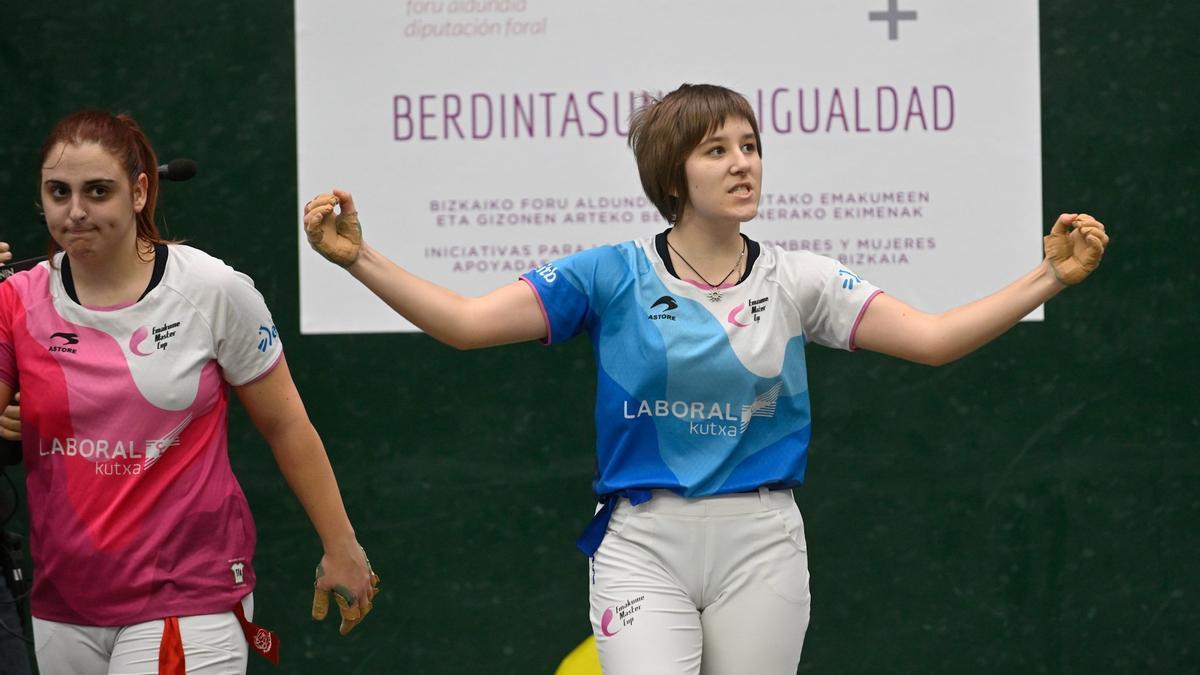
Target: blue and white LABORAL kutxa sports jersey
(695,396)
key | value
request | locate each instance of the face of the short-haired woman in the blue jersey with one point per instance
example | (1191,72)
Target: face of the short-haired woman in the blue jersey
(724,176)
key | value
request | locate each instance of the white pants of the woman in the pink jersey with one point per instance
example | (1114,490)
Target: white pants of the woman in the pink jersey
(214,644)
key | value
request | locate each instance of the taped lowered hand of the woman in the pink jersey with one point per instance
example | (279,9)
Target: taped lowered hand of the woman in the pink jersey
(347,575)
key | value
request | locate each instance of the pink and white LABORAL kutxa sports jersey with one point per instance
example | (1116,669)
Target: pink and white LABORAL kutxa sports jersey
(135,512)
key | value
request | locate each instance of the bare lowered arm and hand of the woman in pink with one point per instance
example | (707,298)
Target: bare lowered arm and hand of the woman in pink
(275,408)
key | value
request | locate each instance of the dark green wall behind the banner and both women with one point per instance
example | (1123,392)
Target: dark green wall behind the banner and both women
(1034,509)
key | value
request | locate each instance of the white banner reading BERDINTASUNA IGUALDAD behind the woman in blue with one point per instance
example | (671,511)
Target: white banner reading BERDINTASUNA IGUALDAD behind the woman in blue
(482,139)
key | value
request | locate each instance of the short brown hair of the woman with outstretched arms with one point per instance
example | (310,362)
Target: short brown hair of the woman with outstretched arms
(665,132)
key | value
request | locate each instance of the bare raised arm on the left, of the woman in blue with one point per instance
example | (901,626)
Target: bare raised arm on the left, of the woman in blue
(511,314)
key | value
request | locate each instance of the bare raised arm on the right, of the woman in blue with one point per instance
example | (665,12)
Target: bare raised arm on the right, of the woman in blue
(890,326)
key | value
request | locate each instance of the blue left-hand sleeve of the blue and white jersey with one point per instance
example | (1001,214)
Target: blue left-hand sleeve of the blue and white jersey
(571,292)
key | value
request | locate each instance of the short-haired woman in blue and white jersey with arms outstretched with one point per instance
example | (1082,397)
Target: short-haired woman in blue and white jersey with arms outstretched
(698,555)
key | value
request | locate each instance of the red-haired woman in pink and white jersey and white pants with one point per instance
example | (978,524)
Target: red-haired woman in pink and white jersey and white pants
(125,348)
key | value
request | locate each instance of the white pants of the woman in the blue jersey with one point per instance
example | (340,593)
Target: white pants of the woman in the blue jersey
(711,587)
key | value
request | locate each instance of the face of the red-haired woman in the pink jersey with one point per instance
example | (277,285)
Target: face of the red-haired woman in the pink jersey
(89,201)
